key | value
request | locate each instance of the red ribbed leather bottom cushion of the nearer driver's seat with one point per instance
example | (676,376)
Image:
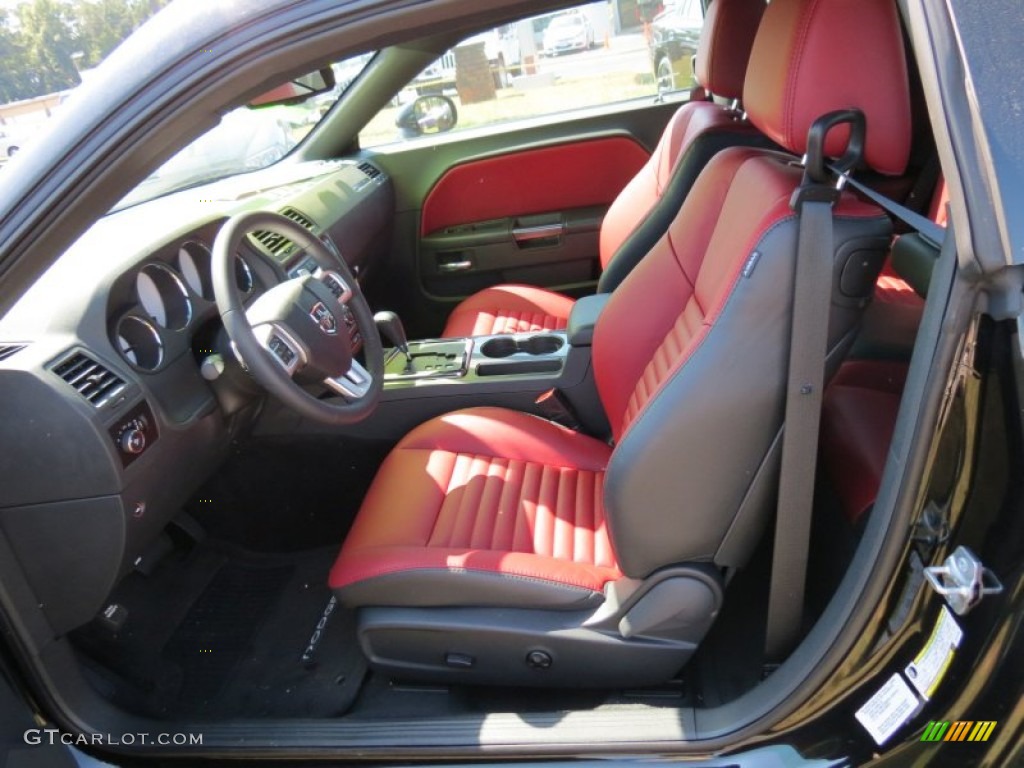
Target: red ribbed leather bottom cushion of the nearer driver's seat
(483,507)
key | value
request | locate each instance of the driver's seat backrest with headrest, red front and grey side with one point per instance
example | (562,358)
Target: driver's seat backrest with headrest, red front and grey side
(691,354)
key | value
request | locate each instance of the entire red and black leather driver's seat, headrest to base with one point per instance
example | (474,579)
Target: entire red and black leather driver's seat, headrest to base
(496,547)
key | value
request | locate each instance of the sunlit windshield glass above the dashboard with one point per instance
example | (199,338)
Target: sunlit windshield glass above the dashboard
(245,140)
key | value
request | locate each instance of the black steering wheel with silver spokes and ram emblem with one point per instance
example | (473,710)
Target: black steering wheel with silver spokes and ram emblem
(307,330)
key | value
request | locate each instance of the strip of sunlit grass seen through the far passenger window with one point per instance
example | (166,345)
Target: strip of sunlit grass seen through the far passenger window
(516,104)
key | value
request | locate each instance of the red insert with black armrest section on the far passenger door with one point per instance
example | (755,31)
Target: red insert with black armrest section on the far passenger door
(531,217)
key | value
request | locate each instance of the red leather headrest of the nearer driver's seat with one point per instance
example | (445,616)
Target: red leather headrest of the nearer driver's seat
(815,57)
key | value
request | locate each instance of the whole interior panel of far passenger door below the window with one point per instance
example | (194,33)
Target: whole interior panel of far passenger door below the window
(524,205)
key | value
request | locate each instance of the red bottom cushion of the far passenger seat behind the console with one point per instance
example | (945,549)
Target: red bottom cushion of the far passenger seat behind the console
(509,310)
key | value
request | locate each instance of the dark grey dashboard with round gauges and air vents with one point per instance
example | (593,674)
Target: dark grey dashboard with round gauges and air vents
(112,416)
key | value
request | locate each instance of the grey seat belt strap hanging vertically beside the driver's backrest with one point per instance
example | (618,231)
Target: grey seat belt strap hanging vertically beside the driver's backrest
(808,347)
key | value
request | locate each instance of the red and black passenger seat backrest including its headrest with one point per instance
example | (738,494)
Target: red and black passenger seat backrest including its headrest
(697,132)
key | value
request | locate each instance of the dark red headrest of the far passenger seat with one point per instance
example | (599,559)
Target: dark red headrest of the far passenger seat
(726,46)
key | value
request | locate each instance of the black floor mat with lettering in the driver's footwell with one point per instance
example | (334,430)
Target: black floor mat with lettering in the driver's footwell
(218,633)
